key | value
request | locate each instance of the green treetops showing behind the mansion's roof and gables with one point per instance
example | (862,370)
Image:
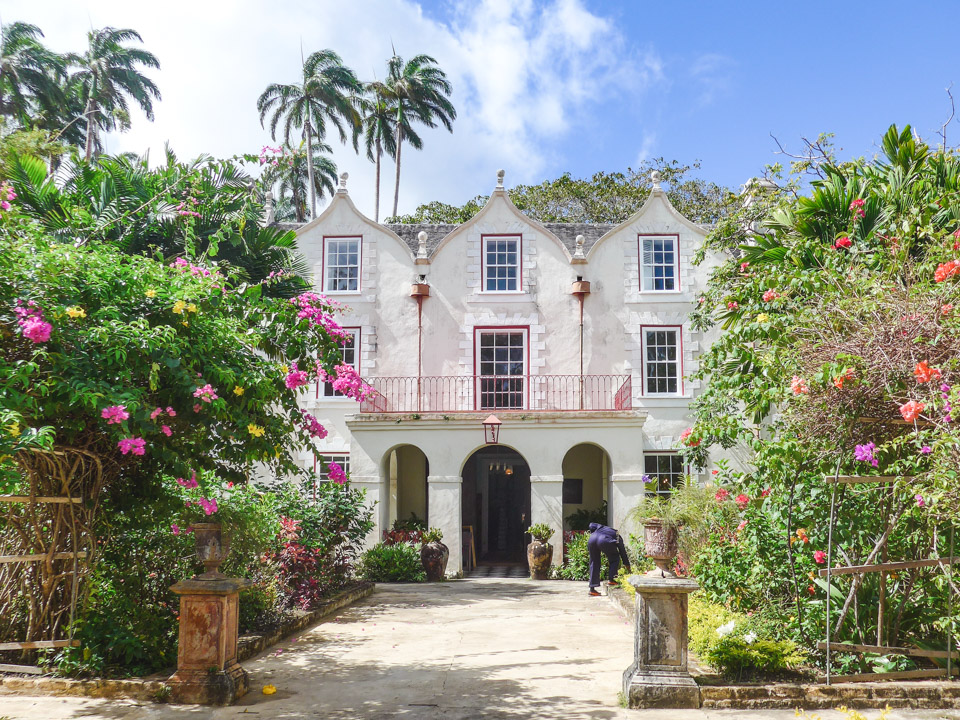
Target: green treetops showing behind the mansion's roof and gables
(603,198)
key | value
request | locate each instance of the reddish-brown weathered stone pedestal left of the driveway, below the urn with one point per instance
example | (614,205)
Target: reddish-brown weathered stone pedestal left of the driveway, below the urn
(207,669)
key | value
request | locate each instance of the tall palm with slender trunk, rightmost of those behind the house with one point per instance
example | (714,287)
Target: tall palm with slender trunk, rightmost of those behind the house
(420,91)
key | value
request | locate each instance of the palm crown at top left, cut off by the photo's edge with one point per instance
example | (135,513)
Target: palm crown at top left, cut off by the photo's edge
(30,74)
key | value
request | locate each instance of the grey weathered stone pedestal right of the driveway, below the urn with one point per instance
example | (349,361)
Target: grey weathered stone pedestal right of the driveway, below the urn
(658,677)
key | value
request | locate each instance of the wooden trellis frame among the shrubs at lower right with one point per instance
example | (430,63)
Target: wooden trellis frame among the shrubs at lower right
(949,654)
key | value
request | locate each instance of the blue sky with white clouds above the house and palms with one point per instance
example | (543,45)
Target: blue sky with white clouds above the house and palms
(552,86)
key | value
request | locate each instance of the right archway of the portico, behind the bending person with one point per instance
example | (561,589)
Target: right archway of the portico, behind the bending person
(586,475)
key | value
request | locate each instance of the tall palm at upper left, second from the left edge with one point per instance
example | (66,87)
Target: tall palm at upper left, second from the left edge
(108,75)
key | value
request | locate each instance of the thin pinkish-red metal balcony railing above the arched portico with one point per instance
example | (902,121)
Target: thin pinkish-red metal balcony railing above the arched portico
(534,393)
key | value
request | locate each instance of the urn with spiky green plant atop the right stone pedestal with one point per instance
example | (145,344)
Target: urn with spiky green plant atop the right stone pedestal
(668,517)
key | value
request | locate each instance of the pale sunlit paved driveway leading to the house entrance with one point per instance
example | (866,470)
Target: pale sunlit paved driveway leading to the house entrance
(497,649)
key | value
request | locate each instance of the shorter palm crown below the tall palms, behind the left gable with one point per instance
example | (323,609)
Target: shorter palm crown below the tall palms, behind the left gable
(291,174)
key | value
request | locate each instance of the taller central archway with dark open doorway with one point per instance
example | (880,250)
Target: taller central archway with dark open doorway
(495,506)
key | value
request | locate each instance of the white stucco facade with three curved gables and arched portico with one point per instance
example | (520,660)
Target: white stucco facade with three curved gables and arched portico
(615,313)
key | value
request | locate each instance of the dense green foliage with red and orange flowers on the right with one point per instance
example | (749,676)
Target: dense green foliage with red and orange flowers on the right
(840,356)
